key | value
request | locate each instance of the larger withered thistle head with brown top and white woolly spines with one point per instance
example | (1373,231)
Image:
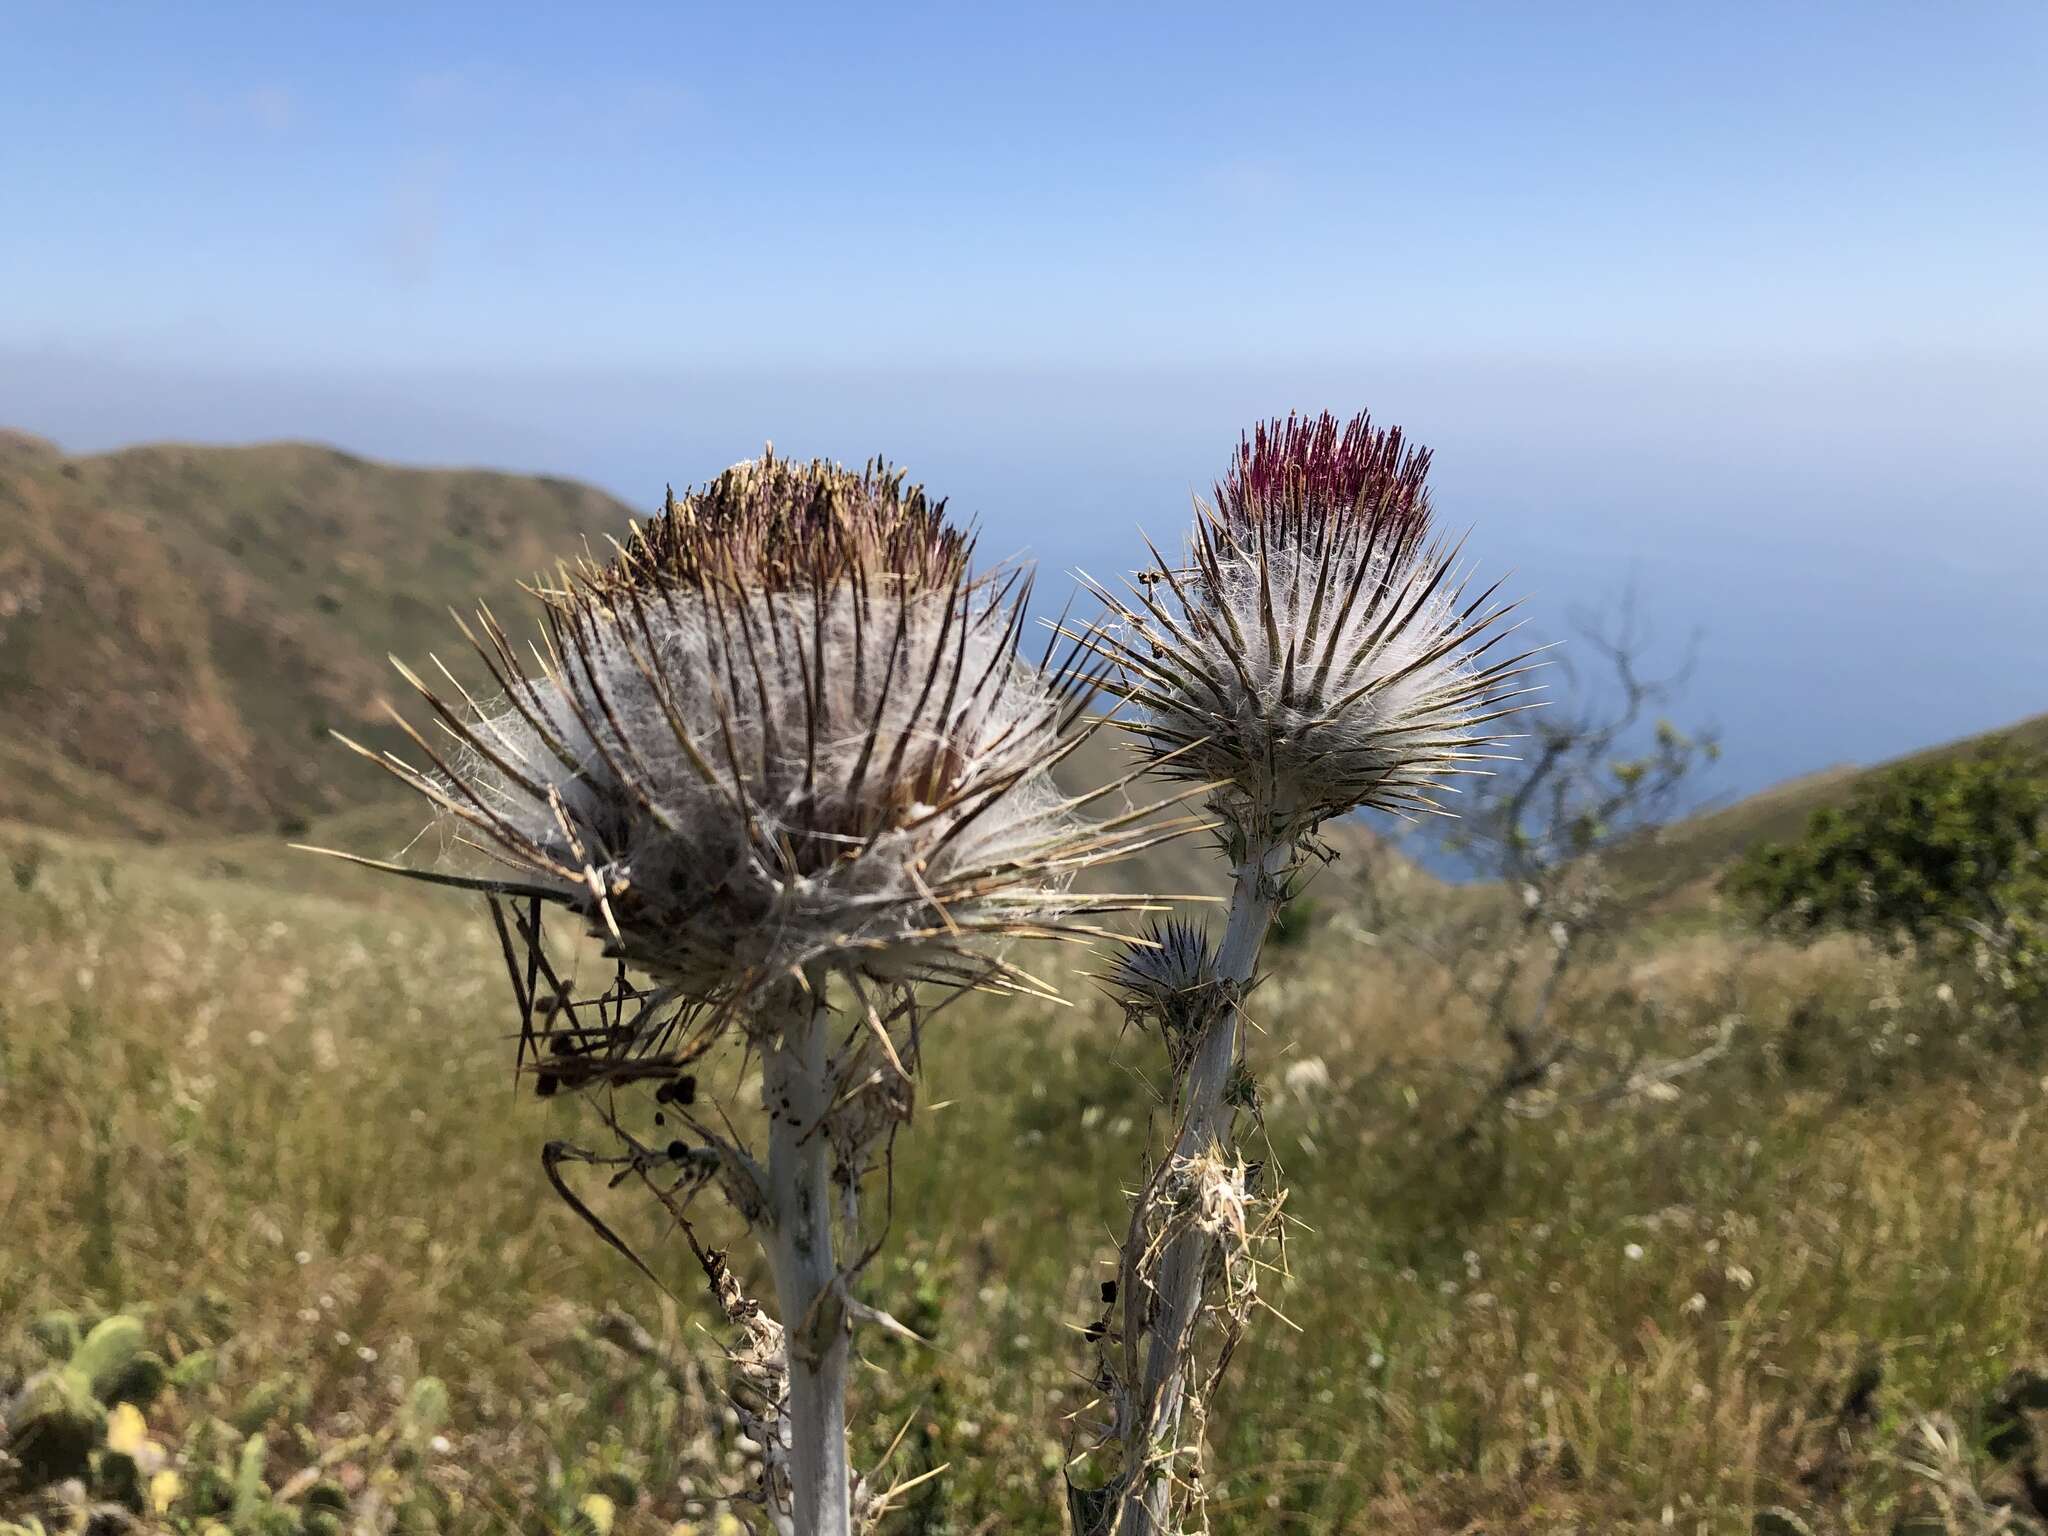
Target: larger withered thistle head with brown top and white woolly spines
(785,732)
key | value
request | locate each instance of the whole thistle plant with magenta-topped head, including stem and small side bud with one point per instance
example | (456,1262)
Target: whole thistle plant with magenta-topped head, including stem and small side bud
(1318,652)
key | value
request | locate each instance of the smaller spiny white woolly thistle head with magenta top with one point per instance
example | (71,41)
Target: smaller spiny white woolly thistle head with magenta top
(1318,650)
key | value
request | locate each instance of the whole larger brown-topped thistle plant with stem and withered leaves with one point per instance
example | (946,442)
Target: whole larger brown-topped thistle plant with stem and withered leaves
(783,761)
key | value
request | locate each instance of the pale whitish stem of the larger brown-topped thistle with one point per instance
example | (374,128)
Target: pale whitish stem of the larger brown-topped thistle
(796,1095)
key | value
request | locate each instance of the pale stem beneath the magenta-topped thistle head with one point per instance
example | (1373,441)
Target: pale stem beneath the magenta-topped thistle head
(1205,1123)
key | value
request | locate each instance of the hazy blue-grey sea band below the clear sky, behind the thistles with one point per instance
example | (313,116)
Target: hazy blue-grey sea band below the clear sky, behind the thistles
(1854,546)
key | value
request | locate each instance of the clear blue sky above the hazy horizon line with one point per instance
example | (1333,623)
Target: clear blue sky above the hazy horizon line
(667,183)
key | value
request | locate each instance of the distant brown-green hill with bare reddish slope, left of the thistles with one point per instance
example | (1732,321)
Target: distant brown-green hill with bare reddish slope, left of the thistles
(181,628)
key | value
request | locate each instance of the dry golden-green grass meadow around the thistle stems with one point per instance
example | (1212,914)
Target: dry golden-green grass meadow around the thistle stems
(278,1123)
